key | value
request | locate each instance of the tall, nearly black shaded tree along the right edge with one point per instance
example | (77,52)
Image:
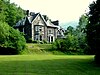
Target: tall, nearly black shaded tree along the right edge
(93,29)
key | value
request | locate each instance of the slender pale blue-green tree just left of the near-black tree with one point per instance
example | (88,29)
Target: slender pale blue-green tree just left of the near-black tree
(81,34)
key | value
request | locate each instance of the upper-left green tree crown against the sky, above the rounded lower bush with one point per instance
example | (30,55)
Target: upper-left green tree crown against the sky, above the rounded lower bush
(10,13)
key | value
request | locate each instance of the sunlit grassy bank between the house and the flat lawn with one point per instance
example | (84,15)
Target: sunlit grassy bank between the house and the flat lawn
(38,49)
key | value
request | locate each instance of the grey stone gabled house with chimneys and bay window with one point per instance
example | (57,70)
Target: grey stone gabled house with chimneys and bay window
(38,27)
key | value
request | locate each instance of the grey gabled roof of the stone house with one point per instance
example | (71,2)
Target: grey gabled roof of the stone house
(31,18)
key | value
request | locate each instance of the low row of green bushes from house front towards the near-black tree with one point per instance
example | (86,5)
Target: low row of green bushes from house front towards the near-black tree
(70,45)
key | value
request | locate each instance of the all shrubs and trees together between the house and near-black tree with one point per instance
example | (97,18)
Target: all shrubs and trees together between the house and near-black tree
(75,41)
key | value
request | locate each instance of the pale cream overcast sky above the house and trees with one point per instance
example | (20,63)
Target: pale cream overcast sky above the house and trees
(62,10)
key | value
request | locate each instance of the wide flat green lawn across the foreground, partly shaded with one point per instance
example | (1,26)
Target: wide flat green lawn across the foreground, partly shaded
(48,65)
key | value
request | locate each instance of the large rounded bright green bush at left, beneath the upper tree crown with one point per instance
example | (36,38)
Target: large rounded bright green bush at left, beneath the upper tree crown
(11,38)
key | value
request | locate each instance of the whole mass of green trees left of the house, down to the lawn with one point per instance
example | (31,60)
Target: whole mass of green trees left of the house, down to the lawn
(9,37)
